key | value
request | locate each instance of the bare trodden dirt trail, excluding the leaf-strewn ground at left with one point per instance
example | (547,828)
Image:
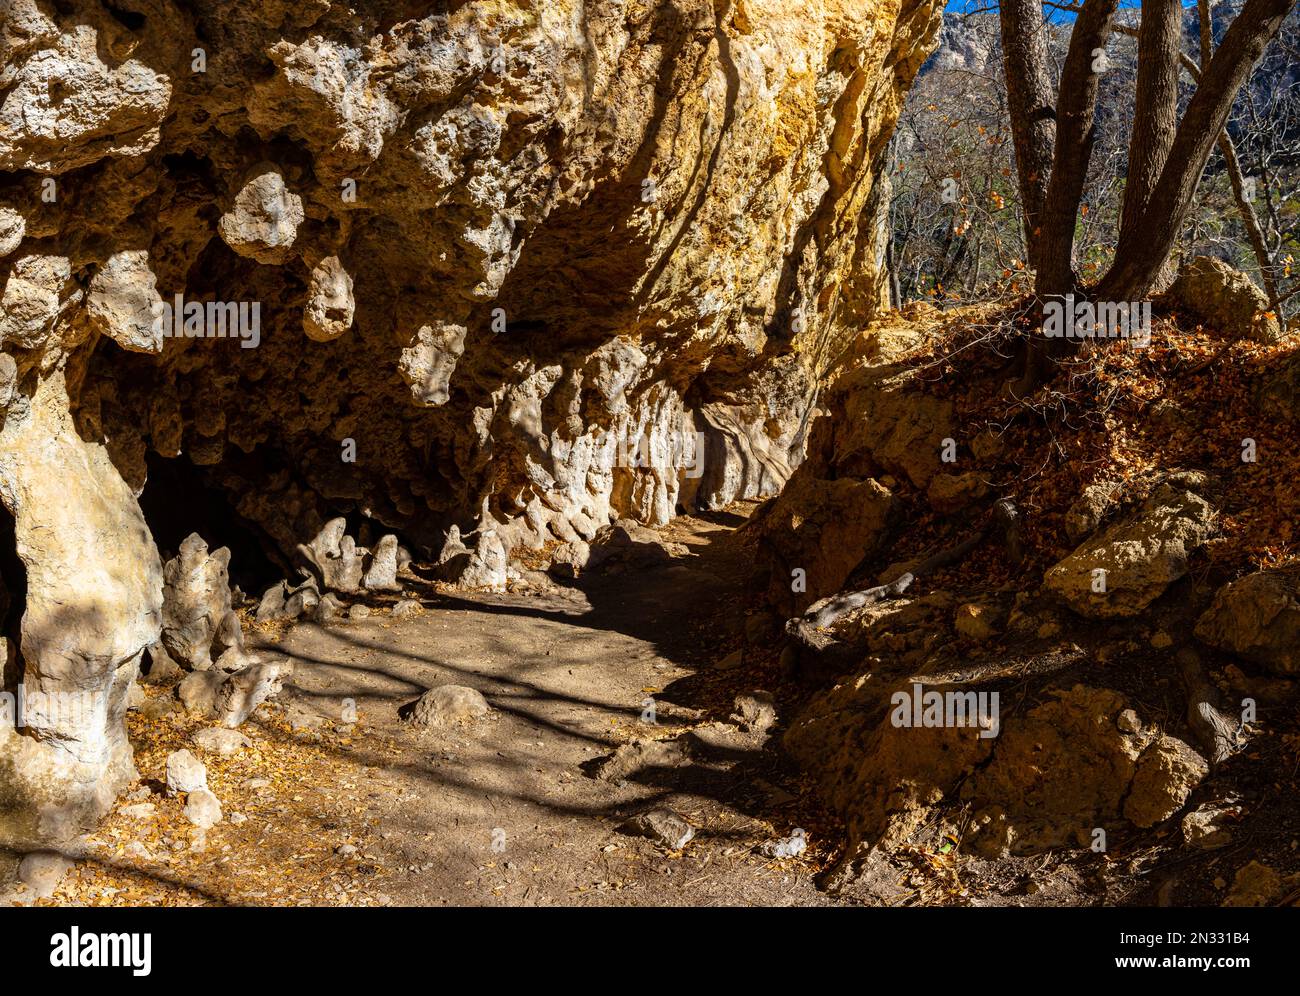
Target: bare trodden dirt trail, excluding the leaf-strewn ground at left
(569,674)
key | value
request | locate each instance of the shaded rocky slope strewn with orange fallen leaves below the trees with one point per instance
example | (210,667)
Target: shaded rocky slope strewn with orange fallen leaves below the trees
(1067,629)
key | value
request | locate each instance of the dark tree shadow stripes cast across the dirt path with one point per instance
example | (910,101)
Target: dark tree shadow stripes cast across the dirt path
(668,607)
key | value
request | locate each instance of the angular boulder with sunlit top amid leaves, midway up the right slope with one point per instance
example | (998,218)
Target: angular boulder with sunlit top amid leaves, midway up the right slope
(1126,568)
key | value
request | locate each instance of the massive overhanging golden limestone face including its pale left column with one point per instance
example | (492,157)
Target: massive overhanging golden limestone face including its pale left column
(512,267)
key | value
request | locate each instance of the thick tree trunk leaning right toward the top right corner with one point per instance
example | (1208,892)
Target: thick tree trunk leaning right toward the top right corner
(1141,257)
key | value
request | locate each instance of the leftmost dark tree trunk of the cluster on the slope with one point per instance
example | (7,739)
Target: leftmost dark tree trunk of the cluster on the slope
(1032,109)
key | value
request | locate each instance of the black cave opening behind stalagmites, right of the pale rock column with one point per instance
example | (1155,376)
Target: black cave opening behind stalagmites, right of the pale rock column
(179,500)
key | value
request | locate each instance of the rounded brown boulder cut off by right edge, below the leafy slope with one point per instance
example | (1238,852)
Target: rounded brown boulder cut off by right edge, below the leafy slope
(1258,618)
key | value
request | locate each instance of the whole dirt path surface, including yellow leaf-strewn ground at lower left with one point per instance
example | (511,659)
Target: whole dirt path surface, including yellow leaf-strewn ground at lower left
(506,809)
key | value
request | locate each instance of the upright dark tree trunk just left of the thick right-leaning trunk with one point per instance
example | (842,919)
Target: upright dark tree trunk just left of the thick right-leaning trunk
(1155,109)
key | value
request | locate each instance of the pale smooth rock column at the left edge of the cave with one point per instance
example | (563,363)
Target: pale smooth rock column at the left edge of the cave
(93,605)
